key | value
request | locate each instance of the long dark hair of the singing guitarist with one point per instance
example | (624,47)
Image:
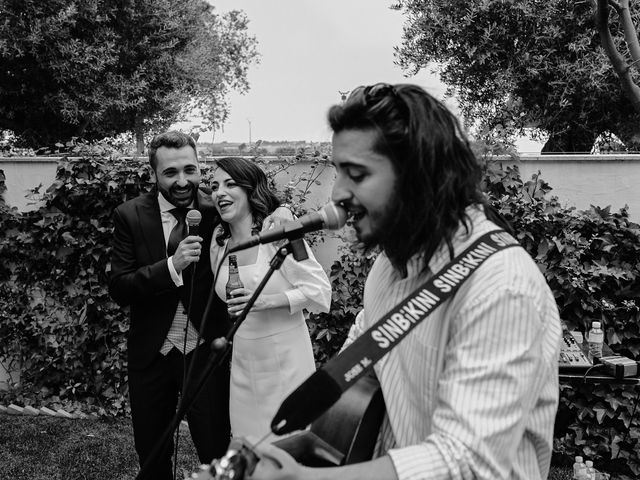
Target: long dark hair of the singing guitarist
(437,174)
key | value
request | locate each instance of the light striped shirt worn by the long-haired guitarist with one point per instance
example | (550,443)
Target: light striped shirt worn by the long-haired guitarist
(471,392)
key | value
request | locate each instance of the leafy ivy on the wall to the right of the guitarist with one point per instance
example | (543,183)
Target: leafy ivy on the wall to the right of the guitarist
(591,262)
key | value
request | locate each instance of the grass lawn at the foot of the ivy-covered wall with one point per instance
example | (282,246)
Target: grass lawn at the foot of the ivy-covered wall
(49,448)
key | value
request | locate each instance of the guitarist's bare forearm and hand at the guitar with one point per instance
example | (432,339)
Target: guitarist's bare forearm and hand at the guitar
(276,464)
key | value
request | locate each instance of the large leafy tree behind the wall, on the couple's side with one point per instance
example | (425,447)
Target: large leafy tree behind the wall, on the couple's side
(95,68)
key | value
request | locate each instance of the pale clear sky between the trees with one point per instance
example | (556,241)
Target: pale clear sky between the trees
(310,51)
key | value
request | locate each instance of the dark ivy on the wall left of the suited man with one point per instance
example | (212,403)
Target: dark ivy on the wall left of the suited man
(54,304)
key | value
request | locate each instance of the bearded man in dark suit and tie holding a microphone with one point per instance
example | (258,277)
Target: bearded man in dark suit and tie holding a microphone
(152,273)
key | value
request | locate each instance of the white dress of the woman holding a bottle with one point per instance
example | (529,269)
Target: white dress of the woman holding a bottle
(272,351)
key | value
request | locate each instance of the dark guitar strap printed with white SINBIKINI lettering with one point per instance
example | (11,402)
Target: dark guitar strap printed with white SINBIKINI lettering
(326,385)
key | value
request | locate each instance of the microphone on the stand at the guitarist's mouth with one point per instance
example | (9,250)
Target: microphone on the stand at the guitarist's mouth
(330,217)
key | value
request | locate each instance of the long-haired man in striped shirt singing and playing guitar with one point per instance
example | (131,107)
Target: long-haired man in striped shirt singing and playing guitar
(472,391)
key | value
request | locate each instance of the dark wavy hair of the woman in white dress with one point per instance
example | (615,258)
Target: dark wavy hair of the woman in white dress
(252,179)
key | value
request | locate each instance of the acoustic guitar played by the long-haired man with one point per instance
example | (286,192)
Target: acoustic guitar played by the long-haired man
(344,434)
